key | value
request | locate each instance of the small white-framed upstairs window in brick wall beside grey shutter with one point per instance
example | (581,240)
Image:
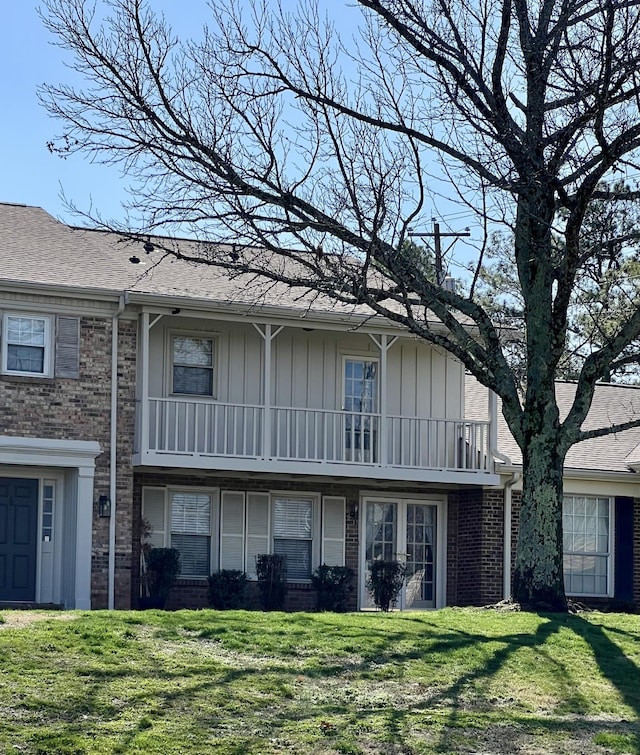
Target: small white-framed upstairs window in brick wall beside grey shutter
(26,345)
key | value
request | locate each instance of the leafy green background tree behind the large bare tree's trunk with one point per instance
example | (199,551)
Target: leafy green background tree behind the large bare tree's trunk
(604,295)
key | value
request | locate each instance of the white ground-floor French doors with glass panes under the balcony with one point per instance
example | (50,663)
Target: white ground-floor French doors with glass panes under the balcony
(403,530)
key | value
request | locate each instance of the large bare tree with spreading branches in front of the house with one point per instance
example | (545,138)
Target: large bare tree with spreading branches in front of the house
(274,132)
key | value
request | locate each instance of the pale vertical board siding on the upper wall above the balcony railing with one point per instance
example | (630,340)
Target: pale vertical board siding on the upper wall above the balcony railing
(307,368)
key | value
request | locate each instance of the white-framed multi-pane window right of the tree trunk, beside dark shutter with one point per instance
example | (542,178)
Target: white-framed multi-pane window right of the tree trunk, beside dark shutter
(587,548)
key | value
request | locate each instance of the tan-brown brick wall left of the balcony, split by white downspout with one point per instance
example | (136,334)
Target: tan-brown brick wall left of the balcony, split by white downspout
(79,409)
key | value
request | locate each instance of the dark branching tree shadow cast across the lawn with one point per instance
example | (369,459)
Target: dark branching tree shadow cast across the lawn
(451,701)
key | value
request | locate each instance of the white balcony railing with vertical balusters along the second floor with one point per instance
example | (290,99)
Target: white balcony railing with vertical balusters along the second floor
(198,434)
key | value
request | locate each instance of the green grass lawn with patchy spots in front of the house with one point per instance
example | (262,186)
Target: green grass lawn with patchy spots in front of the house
(452,681)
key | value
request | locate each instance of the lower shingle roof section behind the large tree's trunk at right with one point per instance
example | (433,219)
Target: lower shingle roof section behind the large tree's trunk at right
(612,404)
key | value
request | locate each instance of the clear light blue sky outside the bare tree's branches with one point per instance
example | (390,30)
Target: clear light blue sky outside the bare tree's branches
(29,173)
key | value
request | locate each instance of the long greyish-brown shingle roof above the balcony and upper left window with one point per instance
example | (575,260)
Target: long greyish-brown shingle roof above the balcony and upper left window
(36,248)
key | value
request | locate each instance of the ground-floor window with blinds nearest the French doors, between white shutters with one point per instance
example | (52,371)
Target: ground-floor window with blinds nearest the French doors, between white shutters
(292,534)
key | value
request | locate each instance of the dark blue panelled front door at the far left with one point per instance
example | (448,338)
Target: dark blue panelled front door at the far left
(18,531)
